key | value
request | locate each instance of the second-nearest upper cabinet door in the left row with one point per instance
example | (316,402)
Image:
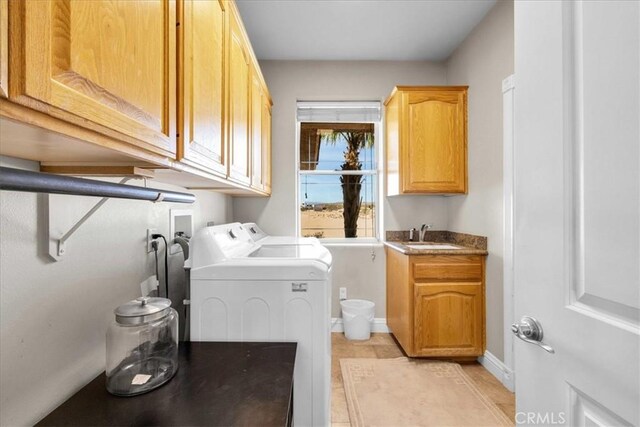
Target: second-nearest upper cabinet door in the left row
(202,141)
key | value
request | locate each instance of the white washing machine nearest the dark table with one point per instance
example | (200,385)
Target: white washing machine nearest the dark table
(243,290)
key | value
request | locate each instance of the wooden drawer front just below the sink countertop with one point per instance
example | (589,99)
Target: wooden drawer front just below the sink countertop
(447,268)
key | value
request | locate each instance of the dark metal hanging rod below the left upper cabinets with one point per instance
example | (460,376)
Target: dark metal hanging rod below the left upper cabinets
(40,182)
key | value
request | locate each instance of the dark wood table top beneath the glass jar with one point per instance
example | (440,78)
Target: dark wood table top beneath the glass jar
(217,384)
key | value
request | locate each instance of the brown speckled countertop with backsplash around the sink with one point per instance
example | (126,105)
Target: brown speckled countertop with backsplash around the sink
(469,244)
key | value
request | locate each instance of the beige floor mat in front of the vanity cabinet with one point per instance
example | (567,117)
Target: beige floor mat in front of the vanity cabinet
(409,392)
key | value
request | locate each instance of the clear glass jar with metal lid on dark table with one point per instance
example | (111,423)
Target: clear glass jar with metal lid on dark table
(142,346)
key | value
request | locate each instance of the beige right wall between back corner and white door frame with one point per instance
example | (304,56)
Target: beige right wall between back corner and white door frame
(482,61)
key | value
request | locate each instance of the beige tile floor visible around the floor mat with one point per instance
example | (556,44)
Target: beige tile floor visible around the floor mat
(382,346)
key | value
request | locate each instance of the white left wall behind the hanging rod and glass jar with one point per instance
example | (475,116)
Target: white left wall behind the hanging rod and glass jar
(53,315)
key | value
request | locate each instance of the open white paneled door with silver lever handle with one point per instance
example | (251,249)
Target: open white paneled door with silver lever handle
(577,214)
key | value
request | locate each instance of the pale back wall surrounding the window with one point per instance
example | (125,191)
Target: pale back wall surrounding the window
(290,81)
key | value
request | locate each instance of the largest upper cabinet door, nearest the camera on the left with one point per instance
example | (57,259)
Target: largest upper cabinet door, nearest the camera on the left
(110,63)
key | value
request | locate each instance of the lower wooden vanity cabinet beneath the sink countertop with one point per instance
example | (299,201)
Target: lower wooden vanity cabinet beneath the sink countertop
(435,304)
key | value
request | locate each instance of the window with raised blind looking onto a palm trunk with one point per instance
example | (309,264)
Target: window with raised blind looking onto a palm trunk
(337,170)
